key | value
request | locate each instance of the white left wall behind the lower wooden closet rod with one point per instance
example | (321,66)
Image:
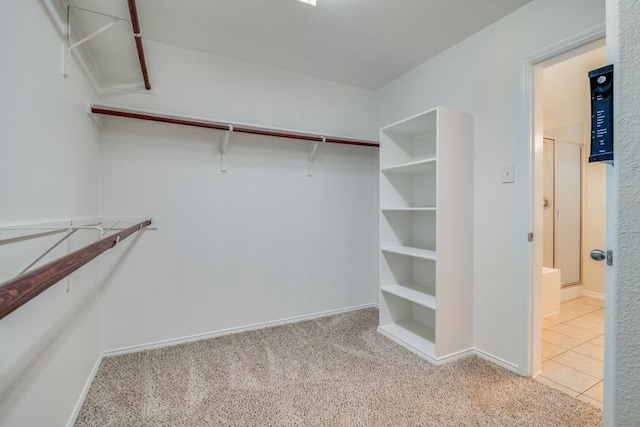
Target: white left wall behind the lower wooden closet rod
(48,163)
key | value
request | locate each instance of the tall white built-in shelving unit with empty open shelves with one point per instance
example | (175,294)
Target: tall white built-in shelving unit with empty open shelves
(426,233)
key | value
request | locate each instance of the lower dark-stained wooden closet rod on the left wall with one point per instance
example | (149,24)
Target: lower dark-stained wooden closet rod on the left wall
(18,291)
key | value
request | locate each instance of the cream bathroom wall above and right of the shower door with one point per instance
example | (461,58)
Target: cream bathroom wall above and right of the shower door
(567,117)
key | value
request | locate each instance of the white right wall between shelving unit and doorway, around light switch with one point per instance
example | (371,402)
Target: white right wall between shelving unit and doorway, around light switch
(482,75)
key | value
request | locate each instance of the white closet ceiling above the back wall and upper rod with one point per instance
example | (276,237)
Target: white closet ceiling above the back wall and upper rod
(363,43)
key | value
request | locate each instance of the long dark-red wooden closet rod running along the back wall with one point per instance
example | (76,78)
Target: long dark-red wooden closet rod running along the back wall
(229,127)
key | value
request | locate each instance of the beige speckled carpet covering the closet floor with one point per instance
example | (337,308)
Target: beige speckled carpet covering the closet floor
(334,371)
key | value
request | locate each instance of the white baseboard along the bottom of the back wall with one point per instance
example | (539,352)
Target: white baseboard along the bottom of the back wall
(229,331)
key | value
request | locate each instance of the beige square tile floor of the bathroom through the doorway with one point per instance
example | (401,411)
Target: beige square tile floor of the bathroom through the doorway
(573,349)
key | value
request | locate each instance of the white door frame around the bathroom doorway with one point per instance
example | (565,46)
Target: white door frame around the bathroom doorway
(532,127)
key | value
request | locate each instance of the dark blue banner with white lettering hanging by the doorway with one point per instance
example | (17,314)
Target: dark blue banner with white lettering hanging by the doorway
(601,114)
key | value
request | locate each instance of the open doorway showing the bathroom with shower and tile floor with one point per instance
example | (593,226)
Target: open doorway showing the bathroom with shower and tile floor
(568,204)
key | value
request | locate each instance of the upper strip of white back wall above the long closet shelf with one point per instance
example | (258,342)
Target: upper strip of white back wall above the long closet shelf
(200,84)
